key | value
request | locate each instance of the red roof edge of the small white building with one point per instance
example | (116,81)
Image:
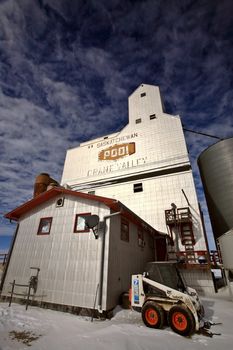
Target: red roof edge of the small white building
(55,191)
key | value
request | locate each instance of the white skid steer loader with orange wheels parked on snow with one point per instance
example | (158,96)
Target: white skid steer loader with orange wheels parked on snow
(161,295)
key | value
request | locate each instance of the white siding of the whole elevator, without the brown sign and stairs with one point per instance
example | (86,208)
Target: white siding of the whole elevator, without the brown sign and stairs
(160,145)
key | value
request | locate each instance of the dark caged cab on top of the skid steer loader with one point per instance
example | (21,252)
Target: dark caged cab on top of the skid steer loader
(165,273)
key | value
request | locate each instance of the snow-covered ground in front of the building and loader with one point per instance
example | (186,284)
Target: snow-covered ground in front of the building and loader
(47,330)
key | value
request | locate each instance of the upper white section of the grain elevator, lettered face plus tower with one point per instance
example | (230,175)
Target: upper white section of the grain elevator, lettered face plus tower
(159,144)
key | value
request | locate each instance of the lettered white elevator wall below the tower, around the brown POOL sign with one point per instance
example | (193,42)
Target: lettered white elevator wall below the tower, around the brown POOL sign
(159,144)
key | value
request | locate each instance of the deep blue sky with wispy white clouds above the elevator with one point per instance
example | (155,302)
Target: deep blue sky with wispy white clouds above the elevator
(67,68)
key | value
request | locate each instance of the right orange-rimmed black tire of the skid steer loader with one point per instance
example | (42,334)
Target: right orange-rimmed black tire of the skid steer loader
(181,320)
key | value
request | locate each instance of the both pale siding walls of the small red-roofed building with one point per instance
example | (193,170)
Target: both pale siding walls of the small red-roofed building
(70,262)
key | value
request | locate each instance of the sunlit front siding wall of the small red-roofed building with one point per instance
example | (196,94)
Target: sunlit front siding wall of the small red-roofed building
(69,262)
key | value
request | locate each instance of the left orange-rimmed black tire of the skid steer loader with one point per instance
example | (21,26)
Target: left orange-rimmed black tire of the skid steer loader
(153,315)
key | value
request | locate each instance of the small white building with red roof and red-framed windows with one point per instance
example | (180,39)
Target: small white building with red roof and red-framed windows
(74,265)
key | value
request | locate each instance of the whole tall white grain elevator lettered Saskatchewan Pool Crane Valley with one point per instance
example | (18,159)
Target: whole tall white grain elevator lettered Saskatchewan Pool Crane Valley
(146,166)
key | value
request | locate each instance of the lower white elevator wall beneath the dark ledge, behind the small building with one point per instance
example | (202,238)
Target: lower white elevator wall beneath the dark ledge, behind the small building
(153,201)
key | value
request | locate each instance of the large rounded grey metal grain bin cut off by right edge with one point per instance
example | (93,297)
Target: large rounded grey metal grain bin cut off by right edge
(216,169)
